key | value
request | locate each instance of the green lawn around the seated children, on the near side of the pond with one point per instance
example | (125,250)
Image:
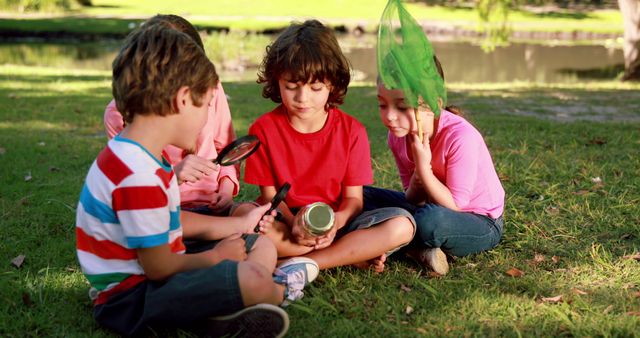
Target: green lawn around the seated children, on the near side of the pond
(51,130)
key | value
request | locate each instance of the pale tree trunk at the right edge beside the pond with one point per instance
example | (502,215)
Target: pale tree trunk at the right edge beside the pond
(631,17)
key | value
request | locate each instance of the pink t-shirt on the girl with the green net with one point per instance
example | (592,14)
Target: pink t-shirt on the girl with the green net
(461,160)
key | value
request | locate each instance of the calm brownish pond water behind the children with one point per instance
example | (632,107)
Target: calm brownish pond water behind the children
(462,61)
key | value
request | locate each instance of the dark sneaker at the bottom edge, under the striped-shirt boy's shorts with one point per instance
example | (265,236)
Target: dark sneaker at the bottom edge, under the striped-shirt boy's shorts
(260,320)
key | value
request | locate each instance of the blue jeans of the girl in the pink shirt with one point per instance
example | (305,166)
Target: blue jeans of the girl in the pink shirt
(456,233)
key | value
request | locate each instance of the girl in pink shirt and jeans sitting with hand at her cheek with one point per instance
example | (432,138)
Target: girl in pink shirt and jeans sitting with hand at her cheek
(450,184)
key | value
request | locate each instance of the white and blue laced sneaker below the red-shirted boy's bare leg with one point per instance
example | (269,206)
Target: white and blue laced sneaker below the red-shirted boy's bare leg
(295,273)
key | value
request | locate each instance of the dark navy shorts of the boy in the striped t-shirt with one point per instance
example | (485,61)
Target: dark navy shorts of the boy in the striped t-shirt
(182,301)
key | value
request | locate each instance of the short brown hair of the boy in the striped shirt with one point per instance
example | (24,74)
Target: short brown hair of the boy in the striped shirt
(154,62)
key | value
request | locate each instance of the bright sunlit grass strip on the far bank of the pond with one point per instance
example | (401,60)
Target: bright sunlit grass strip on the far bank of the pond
(114,16)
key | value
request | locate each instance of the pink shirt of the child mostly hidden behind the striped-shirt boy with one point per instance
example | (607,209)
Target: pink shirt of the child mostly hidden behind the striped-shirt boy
(217,133)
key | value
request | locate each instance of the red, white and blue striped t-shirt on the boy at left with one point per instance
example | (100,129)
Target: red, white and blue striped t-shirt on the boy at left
(129,201)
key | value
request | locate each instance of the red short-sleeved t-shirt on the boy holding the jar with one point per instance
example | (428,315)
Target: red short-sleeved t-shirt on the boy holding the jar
(317,165)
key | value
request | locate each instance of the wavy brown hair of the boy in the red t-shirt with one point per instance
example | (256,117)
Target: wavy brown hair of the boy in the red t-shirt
(307,52)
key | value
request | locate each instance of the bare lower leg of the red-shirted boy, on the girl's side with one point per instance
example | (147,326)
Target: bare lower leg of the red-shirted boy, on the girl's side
(365,244)
